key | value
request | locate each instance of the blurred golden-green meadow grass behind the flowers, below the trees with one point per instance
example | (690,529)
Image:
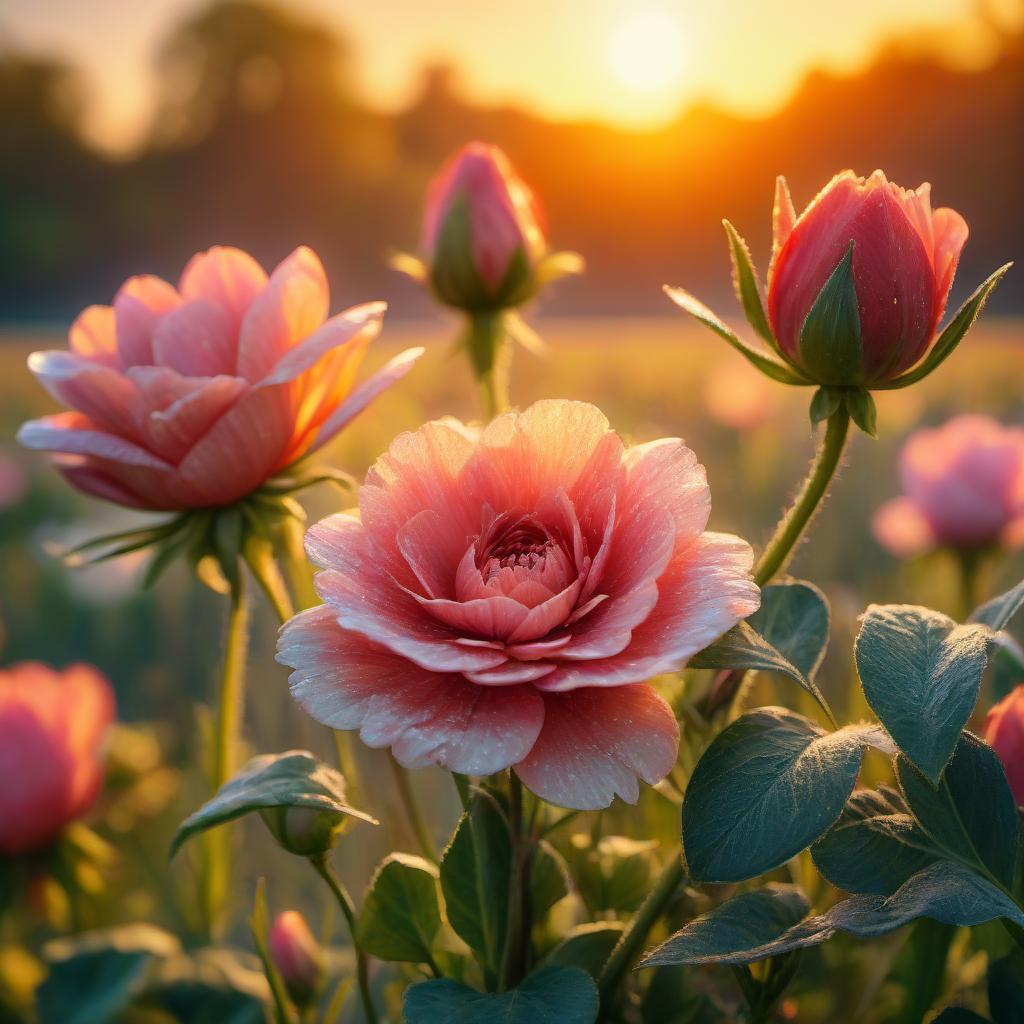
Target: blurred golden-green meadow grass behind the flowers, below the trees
(651,377)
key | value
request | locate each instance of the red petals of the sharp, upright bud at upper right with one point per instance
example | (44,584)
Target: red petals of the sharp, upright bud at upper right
(905,259)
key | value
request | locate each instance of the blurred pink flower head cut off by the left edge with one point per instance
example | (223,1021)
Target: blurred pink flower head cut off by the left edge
(53,727)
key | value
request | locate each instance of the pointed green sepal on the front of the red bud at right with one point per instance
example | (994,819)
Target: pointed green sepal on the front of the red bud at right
(830,340)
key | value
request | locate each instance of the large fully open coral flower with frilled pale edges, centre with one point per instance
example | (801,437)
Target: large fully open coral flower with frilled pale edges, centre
(505,595)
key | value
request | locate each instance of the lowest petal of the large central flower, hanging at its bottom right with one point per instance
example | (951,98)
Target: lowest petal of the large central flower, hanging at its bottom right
(598,743)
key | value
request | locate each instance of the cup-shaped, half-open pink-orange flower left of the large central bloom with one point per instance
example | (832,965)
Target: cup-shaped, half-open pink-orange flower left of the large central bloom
(193,397)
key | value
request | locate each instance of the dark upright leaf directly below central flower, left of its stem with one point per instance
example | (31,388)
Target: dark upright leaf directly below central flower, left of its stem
(475,874)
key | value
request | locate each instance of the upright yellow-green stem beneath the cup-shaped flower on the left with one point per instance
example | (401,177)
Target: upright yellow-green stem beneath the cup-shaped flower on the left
(230,714)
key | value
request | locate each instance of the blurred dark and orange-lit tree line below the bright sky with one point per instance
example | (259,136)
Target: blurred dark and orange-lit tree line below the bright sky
(259,141)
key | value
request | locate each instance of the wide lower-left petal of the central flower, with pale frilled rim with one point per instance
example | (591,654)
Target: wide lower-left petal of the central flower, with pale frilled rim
(348,682)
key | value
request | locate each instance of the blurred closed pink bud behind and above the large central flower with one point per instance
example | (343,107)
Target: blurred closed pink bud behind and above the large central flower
(482,232)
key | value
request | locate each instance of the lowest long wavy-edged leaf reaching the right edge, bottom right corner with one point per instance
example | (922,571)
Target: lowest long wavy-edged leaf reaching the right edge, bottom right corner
(946,892)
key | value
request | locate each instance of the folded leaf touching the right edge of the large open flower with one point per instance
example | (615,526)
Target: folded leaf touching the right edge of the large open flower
(788,634)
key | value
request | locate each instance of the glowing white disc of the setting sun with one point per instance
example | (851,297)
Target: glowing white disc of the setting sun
(648,52)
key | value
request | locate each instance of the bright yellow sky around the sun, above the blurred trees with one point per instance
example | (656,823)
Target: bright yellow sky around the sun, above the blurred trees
(635,64)
